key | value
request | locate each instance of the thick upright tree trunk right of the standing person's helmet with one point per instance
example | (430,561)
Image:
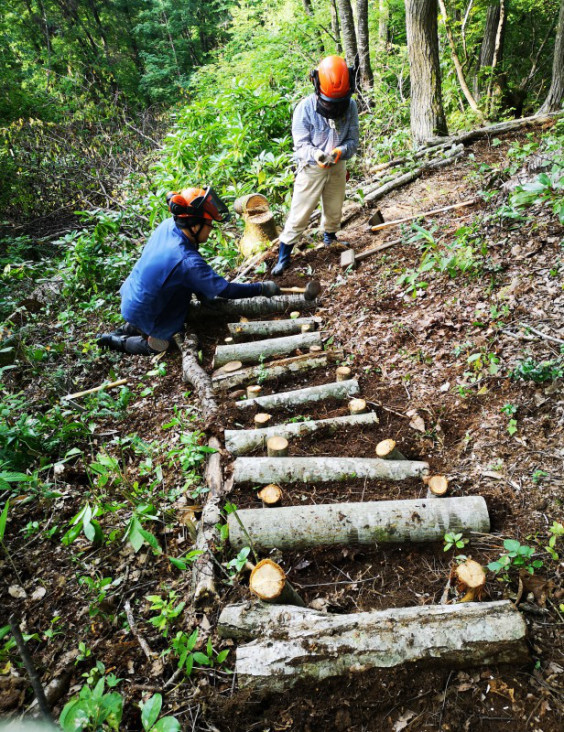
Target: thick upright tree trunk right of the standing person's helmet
(427,115)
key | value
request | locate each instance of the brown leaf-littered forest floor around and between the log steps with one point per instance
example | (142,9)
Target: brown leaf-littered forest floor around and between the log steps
(439,365)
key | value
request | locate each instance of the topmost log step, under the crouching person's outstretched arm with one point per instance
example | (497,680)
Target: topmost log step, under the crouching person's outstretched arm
(251,307)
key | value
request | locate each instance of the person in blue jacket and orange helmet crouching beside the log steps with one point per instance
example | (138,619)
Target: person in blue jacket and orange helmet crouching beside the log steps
(155,296)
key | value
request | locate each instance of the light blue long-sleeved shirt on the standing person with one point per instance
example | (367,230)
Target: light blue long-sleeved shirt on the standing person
(311,131)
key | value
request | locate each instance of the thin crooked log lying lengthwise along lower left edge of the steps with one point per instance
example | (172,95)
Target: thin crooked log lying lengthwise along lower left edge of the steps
(204,592)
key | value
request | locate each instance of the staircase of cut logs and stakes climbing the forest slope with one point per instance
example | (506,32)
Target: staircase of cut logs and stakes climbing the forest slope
(281,642)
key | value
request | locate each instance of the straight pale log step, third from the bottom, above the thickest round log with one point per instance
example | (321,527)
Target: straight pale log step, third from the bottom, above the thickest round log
(324,469)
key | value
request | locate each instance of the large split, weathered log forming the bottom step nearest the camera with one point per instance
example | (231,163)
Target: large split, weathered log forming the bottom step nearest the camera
(317,646)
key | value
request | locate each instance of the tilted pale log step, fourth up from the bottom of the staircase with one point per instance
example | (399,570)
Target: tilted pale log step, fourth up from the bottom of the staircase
(239,442)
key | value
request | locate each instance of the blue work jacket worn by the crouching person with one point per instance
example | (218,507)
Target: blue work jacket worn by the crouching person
(156,294)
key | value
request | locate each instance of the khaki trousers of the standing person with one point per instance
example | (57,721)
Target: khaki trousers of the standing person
(314,183)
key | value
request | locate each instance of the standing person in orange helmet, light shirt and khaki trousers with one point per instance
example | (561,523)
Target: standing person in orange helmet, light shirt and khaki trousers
(325,132)
